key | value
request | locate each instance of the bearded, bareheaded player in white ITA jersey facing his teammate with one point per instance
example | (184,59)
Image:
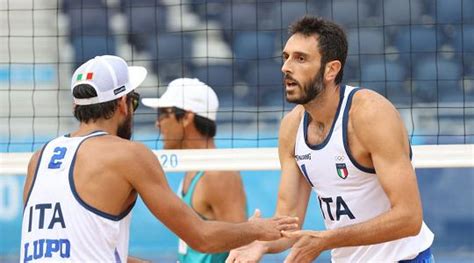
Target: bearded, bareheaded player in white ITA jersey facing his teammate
(350,146)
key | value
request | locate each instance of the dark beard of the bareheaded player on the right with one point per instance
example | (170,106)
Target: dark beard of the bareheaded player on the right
(309,92)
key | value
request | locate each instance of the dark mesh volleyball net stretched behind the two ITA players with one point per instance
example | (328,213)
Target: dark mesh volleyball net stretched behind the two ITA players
(416,53)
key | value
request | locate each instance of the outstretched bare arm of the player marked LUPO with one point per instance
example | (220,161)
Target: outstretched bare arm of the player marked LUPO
(147,178)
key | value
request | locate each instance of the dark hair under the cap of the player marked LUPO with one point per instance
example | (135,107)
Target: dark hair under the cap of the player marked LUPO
(93,112)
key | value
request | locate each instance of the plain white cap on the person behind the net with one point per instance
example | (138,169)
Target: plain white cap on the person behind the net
(188,94)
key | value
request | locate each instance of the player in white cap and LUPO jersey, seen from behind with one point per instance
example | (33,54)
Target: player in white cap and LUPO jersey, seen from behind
(81,187)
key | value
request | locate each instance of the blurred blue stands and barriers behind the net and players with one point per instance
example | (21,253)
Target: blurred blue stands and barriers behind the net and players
(417,53)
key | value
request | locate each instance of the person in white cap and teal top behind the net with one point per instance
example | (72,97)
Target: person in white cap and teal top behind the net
(187,120)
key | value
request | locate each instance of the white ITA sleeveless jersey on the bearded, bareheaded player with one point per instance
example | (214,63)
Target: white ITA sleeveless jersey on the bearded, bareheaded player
(349,193)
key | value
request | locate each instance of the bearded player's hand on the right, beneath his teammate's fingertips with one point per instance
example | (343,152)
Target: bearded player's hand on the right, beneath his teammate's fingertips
(307,248)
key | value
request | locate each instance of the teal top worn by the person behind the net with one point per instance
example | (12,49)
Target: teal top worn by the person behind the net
(187,254)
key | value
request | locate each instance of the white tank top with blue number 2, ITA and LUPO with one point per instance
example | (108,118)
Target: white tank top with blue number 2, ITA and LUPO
(57,224)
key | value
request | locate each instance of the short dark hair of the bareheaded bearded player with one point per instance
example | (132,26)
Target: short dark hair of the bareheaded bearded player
(331,38)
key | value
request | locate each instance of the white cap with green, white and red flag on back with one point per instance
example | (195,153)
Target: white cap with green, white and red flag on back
(110,76)
